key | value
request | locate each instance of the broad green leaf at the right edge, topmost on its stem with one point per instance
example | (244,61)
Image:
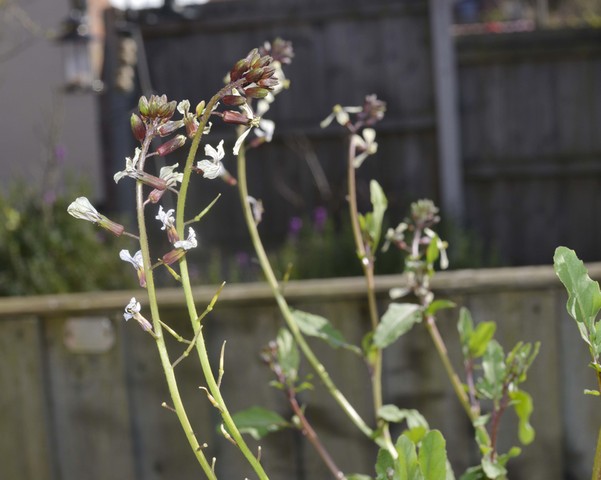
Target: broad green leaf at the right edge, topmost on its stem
(584,295)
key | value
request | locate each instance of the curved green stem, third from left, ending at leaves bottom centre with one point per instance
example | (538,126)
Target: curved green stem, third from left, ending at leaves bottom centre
(283,305)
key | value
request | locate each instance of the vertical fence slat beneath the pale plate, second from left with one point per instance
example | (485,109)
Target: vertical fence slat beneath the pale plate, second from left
(90,410)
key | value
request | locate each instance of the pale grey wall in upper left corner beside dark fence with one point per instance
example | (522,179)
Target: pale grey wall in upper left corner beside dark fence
(32,105)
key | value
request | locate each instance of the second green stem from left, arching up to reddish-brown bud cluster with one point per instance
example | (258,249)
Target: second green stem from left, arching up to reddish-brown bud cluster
(185,278)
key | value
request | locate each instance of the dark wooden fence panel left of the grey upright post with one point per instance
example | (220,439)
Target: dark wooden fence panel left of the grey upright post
(344,51)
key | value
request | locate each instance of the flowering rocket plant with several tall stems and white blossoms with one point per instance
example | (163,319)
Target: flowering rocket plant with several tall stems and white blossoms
(492,380)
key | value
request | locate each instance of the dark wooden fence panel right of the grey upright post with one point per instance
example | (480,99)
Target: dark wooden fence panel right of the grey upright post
(530,123)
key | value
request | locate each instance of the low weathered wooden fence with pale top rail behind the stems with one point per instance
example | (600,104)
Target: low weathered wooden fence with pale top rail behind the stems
(81,390)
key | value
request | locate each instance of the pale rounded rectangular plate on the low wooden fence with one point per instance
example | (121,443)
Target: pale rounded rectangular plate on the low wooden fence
(89,334)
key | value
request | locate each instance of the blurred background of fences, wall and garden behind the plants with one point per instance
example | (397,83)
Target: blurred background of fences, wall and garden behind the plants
(494,112)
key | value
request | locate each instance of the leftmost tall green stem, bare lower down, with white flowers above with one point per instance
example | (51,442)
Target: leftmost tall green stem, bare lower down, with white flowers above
(178,405)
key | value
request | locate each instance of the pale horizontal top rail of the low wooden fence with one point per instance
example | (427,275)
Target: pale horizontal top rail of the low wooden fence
(454,282)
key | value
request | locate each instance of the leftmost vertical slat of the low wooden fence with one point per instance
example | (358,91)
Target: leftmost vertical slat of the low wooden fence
(25,450)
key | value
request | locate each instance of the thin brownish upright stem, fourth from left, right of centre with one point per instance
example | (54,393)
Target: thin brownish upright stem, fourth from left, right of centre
(367,264)
